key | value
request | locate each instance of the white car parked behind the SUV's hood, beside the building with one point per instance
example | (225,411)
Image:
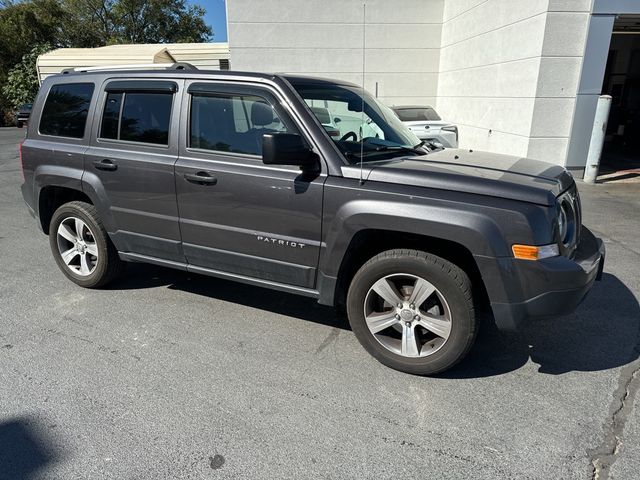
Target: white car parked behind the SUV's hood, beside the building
(427,125)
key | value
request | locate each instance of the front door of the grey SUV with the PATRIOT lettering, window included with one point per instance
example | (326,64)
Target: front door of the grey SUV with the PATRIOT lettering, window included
(238,215)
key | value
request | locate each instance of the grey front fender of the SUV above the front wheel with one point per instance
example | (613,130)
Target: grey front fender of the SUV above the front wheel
(485,226)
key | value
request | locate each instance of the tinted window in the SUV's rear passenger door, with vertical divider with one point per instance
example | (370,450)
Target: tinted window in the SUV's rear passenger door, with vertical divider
(137,117)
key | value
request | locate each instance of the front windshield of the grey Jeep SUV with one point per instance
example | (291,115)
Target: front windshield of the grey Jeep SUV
(358,123)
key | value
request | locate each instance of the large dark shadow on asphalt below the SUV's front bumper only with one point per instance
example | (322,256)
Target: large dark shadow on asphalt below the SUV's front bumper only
(603,333)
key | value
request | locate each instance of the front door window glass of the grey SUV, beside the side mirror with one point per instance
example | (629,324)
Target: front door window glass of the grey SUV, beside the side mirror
(232,123)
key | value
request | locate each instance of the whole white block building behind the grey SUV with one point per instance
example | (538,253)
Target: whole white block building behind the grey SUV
(518,76)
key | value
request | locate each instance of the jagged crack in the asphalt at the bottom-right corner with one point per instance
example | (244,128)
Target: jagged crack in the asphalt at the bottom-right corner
(606,453)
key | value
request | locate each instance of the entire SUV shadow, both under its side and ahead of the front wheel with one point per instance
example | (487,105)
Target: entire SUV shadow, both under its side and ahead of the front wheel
(603,333)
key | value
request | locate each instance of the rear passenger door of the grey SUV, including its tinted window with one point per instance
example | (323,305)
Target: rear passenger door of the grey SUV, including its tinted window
(130,164)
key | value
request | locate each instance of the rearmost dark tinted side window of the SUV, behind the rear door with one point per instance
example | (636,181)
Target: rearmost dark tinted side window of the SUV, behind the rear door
(65,110)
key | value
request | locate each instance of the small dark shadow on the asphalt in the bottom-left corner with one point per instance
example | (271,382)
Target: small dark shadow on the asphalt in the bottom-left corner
(24,451)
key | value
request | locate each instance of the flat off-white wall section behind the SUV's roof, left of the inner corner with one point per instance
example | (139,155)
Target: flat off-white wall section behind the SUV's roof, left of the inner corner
(325,38)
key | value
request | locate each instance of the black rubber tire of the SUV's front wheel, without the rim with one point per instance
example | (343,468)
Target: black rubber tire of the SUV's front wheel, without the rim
(451,282)
